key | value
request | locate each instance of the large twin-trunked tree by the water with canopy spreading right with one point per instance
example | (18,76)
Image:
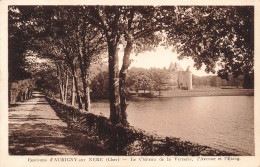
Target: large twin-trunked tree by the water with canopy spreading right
(207,34)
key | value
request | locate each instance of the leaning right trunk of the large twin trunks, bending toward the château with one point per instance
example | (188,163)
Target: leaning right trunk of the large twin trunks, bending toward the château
(122,75)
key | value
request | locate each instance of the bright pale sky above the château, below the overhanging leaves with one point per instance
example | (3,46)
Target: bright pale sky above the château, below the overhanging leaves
(161,58)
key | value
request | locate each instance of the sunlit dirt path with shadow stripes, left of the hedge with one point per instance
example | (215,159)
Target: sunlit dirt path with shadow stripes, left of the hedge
(34,129)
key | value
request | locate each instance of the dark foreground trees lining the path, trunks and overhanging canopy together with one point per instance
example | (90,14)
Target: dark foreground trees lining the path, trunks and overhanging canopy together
(71,38)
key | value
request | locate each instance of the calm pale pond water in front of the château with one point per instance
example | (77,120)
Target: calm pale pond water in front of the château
(222,122)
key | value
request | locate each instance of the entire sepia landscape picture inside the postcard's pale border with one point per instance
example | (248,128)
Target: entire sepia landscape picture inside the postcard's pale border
(175,81)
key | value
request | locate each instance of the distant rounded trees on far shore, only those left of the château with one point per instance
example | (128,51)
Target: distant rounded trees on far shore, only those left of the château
(153,79)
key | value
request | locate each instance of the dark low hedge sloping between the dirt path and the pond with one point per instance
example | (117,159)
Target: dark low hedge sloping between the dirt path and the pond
(109,139)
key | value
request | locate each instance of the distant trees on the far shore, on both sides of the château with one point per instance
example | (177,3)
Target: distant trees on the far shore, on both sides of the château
(155,79)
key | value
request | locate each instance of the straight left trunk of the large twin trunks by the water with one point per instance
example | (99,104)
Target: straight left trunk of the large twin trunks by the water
(114,97)
